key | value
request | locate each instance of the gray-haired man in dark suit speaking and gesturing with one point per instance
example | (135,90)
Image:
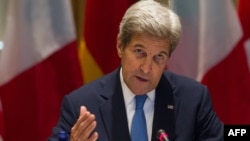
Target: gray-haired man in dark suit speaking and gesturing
(104,110)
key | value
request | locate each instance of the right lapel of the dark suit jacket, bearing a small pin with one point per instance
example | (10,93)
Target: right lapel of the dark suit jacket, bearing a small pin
(164,110)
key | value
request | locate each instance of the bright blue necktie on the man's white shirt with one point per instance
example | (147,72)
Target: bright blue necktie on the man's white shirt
(139,128)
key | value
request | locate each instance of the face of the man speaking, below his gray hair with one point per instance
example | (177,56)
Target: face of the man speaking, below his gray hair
(143,61)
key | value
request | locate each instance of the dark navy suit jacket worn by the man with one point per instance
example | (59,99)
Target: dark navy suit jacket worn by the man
(183,109)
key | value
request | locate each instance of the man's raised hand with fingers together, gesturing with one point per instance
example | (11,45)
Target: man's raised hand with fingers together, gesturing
(84,126)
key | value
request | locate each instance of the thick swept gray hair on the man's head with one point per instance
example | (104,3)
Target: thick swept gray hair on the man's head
(154,18)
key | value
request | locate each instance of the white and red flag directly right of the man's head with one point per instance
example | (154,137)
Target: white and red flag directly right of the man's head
(211,51)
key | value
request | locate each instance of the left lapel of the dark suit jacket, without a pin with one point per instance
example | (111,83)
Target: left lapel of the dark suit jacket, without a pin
(114,112)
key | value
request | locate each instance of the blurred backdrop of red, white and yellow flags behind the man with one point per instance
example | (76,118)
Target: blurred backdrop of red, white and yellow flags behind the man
(49,48)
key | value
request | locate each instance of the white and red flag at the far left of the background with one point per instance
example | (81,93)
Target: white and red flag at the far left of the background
(38,66)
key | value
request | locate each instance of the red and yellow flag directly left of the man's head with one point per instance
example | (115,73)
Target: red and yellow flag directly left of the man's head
(98,45)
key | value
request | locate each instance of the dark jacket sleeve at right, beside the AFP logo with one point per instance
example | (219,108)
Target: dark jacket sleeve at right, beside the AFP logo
(210,128)
